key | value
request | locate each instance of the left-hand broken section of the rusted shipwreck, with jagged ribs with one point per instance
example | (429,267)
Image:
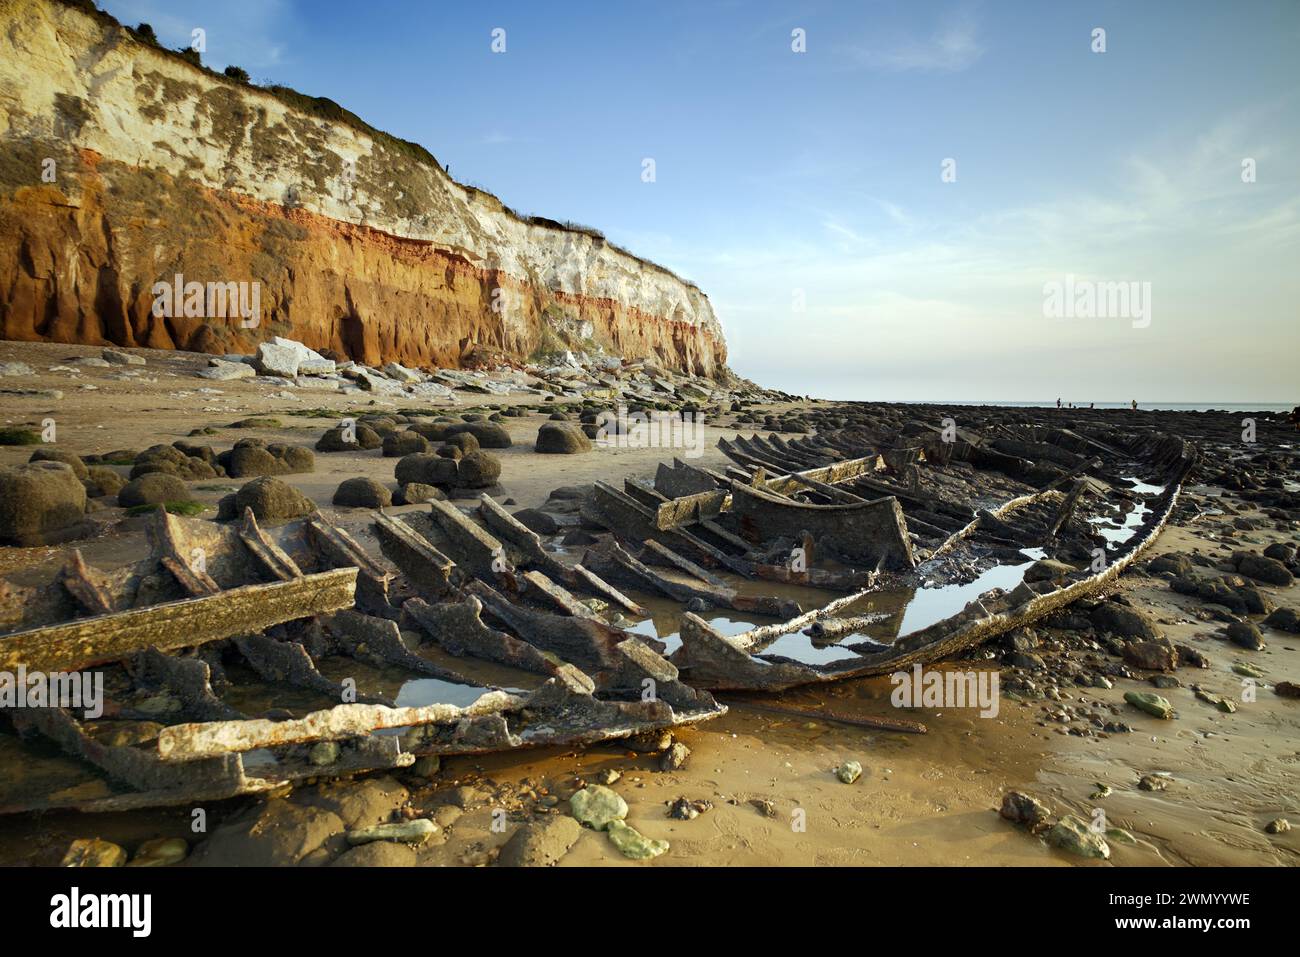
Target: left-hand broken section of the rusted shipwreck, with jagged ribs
(280,603)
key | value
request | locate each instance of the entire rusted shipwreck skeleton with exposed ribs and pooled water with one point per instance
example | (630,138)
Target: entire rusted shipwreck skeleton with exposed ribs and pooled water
(245,657)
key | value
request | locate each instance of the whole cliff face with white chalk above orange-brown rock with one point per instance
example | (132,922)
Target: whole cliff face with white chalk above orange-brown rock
(123,166)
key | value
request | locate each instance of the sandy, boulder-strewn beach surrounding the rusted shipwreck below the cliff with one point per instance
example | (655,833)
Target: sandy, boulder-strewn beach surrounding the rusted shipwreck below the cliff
(1128,721)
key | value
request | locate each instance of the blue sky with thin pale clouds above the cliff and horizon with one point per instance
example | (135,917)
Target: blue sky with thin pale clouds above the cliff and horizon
(891,213)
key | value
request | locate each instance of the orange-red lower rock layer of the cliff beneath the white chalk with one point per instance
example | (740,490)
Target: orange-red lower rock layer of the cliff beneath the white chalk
(84,270)
